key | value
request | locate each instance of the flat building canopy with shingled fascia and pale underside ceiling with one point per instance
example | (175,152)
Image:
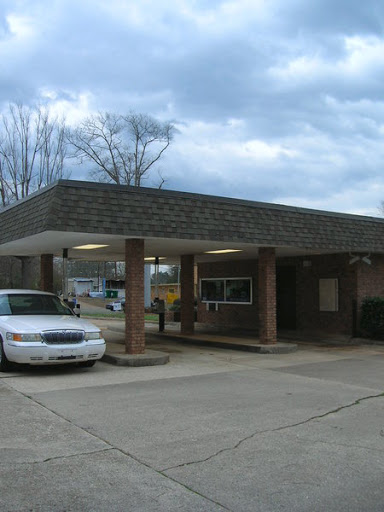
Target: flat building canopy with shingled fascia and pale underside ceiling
(69,214)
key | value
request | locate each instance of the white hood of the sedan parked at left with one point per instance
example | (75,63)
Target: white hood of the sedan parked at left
(38,323)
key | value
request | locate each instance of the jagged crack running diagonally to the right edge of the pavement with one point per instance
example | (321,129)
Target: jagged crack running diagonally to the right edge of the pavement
(285,427)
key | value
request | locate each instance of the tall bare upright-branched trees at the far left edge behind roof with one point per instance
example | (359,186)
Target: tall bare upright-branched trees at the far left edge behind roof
(32,151)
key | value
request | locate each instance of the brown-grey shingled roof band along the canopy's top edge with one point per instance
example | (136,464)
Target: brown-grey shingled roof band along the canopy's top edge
(85,207)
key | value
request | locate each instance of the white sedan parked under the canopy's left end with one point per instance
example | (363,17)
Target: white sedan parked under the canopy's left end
(38,328)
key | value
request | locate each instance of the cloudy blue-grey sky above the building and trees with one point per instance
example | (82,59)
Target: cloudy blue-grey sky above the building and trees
(279,101)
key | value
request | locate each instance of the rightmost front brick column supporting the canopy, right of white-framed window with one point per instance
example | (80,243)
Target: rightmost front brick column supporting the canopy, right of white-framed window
(267,295)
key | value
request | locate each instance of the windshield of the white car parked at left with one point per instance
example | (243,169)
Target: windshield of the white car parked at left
(32,304)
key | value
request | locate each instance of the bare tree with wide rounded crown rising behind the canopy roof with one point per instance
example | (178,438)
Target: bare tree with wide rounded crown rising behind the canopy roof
(121,149)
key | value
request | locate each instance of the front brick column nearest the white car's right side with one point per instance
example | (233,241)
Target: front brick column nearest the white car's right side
(134,297)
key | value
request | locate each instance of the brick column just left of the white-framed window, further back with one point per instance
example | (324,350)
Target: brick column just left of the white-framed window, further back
(187,309)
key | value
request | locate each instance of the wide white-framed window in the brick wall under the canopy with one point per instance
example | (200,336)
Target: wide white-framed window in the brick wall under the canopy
(236,290)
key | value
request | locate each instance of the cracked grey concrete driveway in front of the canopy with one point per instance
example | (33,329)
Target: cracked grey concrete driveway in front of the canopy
(213,430)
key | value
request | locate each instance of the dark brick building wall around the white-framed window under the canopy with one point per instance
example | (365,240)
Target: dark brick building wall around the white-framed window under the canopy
(354,283)
